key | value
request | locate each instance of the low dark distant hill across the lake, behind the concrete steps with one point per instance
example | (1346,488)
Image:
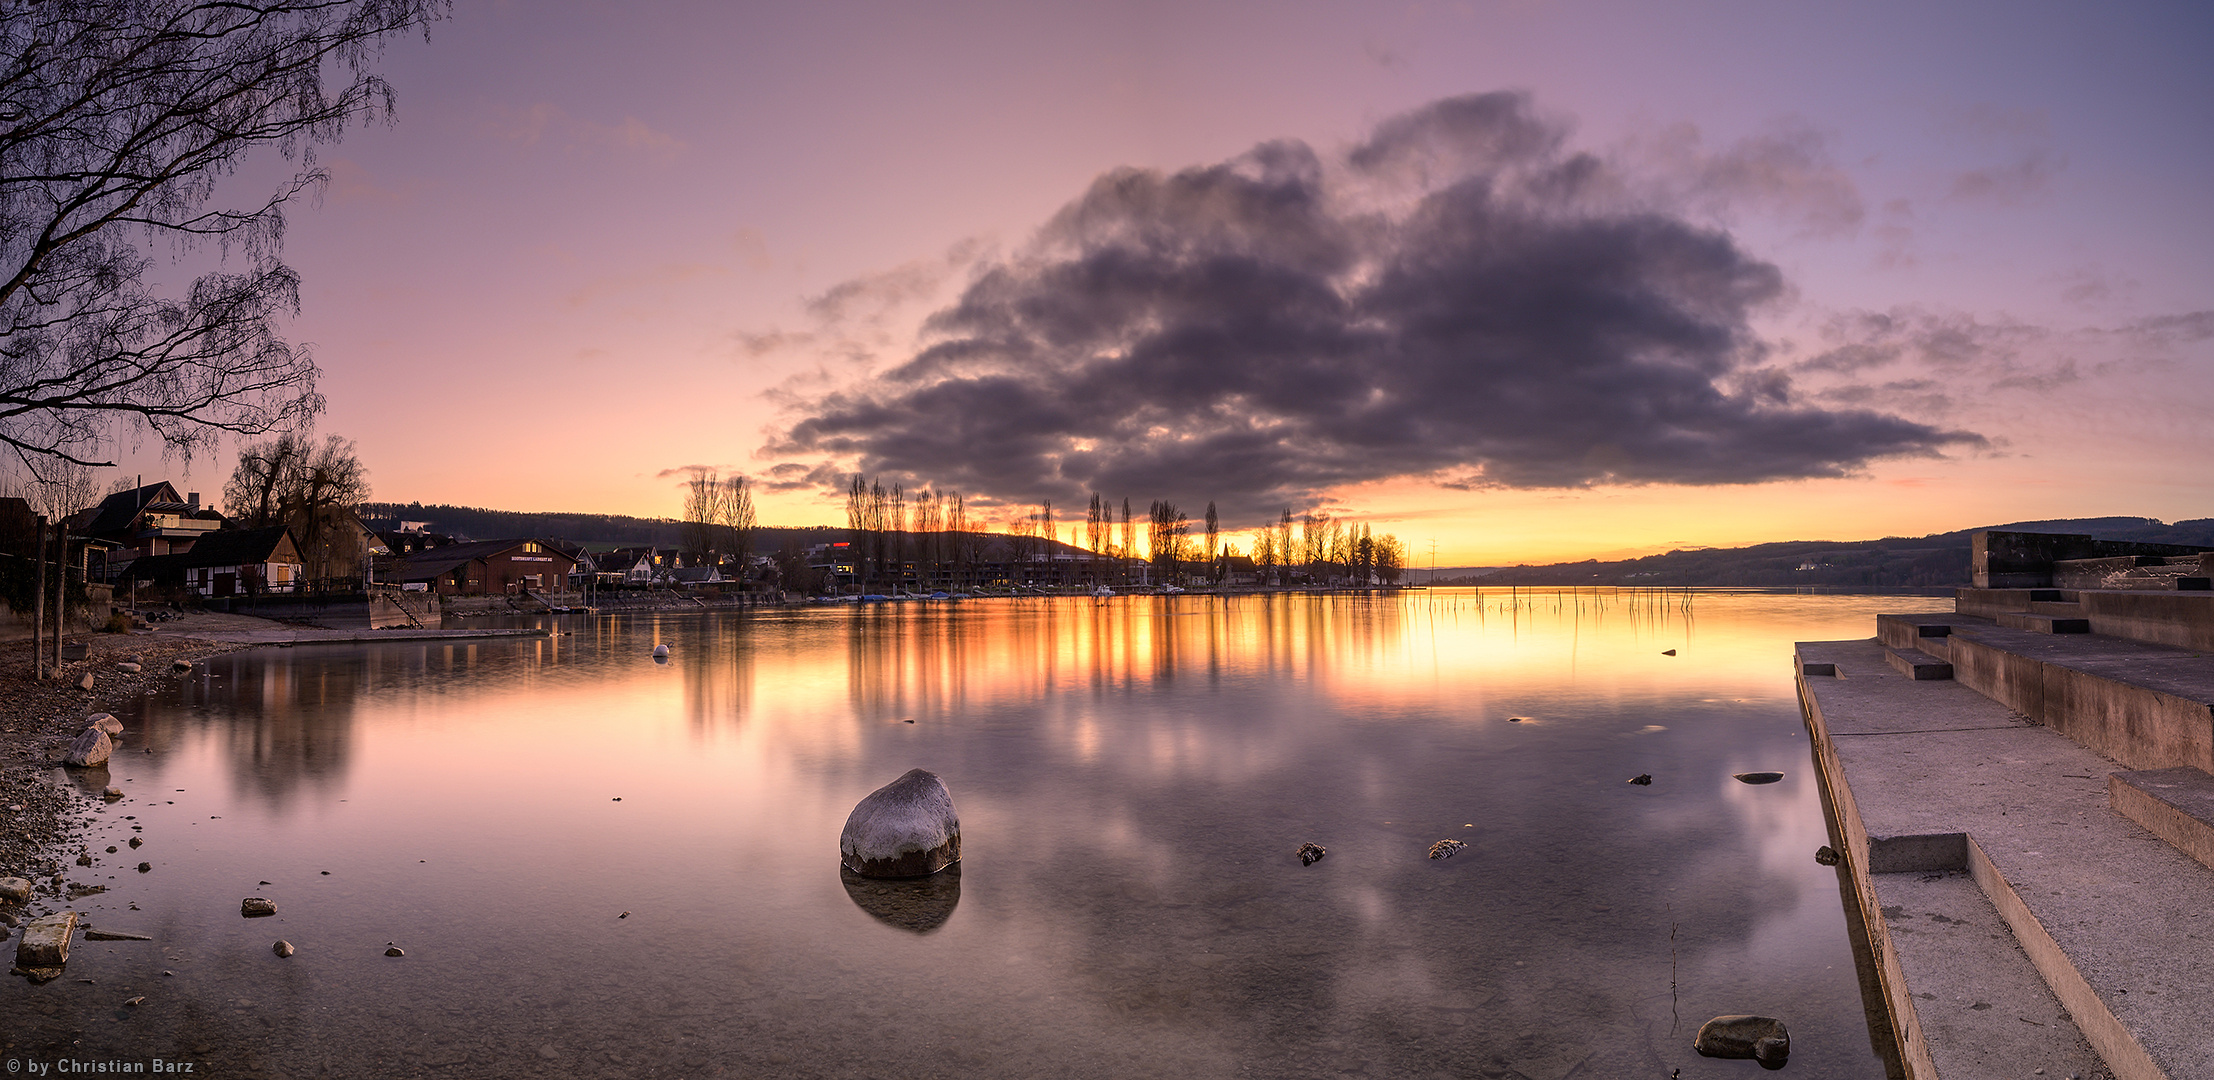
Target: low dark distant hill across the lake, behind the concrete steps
(1923,561)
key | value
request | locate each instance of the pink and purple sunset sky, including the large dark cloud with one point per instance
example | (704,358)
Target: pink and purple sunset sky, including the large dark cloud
(1515,282)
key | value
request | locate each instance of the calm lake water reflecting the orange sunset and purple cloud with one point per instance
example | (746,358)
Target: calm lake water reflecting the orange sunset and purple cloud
(1132,780)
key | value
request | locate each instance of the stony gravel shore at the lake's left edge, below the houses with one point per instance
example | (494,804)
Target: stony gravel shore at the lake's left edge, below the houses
(39,820)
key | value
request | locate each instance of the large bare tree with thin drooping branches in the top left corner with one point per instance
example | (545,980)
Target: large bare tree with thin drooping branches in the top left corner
(118,121)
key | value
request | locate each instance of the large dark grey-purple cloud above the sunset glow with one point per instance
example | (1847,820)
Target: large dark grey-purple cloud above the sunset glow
(1458,298)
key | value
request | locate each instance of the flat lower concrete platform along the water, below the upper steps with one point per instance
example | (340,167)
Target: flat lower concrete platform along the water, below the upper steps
(1936,785)
